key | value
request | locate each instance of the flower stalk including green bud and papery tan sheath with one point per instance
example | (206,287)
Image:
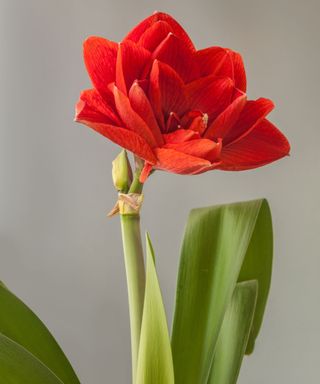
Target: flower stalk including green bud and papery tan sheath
(128,206)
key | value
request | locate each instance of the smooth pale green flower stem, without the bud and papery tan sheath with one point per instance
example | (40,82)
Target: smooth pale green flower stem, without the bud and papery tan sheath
(135,272)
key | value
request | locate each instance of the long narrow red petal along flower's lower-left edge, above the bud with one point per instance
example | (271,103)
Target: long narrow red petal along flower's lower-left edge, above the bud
(125,138)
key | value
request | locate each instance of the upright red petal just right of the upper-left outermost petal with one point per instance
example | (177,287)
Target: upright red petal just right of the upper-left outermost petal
(131,63)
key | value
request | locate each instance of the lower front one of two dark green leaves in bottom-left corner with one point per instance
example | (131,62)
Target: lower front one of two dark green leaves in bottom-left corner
(18,366)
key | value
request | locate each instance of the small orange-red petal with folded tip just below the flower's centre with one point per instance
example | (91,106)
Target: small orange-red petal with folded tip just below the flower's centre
(203,148)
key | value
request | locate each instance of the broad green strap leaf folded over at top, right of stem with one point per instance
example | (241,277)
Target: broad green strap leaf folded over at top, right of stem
(221,245)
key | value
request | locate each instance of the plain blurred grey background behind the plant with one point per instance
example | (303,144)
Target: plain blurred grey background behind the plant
(61,254)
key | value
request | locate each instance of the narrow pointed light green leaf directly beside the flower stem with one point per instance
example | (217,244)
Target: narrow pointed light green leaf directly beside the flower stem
(155,358)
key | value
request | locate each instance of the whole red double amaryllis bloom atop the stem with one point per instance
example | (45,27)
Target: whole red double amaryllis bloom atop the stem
(179,109)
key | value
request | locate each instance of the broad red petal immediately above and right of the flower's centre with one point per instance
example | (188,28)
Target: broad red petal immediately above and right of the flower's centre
(210,95)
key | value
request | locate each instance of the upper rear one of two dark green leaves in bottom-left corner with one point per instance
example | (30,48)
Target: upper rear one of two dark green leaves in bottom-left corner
(22,326)
